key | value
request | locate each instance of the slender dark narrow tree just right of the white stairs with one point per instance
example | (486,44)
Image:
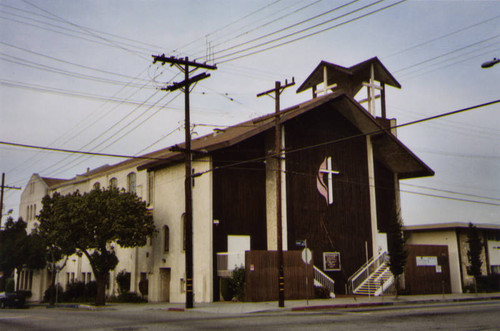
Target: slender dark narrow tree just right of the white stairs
(396,246)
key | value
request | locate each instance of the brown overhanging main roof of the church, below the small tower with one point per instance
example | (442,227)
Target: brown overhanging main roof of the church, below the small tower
(388,149)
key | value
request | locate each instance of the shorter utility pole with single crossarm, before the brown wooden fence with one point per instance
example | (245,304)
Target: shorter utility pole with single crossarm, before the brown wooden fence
(278,89)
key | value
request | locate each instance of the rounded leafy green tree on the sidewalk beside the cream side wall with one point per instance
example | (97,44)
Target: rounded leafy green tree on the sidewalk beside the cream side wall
(92,223)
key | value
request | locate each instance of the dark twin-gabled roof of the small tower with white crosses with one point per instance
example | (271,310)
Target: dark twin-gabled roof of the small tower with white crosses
(349,79)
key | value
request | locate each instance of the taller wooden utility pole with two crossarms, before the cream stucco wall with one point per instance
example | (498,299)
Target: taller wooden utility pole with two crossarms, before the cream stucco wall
(184,65)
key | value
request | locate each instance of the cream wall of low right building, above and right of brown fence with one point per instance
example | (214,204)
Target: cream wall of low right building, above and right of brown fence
(449,238)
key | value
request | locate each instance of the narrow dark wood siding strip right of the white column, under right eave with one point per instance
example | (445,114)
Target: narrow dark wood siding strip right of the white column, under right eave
(385,195)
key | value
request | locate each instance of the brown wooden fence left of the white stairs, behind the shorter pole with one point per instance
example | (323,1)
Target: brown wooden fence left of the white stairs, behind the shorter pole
(261,276)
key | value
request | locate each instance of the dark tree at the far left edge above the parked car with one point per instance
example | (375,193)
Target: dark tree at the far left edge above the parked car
(19,250)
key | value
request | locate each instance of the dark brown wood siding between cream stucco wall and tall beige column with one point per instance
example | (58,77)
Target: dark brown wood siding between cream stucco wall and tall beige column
(239,197)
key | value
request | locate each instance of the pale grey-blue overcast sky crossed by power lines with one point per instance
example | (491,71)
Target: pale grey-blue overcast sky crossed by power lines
(79,75)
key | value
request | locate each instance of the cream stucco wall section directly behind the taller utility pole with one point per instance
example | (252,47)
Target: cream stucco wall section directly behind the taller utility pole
(168,210)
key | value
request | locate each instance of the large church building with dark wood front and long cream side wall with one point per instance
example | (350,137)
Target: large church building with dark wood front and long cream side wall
(340,180)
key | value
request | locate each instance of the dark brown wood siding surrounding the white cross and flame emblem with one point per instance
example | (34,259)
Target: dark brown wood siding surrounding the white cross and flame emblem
(343,226)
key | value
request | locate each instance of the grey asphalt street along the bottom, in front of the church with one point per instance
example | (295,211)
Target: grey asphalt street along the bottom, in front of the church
(478,315)
